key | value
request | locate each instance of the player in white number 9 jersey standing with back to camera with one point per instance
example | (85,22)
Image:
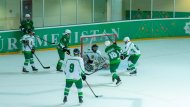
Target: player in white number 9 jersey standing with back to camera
(74,71)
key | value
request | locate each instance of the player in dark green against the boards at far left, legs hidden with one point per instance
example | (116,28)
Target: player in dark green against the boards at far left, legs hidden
(27,24)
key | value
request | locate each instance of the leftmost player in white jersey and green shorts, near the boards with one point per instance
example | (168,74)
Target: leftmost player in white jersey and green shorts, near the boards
(28,48)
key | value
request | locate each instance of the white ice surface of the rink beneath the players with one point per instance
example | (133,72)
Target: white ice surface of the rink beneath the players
(162,80)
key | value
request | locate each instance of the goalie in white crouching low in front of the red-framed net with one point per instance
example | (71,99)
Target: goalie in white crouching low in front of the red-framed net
(94,60)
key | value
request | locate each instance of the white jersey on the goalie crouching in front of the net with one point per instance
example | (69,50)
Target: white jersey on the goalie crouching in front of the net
(93,55)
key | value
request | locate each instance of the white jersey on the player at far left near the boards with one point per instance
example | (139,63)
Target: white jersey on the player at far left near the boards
(30,40)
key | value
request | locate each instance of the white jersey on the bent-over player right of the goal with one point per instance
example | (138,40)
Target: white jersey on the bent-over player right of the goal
(131,49)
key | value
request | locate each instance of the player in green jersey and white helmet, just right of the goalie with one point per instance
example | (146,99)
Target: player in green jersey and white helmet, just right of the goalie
(113,52)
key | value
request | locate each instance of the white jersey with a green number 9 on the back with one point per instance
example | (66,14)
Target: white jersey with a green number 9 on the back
(74,68)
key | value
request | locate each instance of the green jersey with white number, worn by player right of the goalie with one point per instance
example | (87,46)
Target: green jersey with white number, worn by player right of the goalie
(113,52)
